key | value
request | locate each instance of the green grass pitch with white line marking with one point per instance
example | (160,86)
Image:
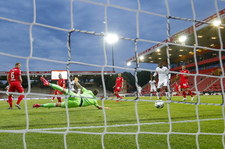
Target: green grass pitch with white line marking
(153,129)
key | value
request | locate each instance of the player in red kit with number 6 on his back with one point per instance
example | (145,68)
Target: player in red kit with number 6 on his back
(15,84)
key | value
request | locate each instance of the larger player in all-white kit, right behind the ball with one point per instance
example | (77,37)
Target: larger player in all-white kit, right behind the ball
(163,80)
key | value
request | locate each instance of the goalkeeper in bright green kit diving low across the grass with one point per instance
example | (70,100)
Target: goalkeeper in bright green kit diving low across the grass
(74,100)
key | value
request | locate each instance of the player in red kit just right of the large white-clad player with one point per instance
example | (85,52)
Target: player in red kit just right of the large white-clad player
(184,86)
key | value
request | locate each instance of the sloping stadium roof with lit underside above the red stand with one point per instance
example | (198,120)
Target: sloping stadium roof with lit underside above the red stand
(206,35)
